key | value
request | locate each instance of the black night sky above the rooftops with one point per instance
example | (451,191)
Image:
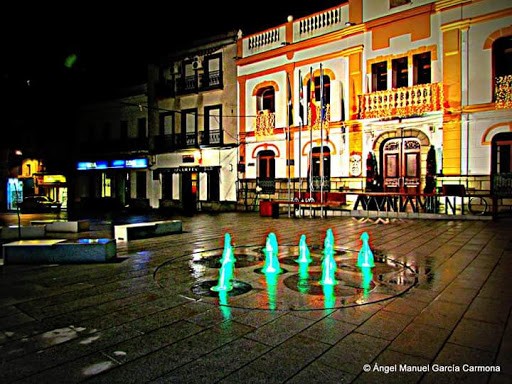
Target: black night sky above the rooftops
(54,56)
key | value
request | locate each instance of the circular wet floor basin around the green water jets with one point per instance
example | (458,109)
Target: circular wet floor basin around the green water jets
(298,286)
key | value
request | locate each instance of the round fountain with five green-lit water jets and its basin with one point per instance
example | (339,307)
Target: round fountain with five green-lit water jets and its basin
(327,277)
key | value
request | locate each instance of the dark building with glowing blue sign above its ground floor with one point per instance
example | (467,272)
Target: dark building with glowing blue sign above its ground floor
(113,157)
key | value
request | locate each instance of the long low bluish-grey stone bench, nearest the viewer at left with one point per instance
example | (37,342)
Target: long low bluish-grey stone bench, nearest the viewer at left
(58,251)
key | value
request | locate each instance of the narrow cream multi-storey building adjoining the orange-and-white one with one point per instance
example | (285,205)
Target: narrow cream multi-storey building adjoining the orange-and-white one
(192,115)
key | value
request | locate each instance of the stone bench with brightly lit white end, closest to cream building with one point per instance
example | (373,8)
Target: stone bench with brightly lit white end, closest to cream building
(125,232)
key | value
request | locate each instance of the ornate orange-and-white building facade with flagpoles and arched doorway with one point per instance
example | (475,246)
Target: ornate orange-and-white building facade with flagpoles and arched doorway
(378,95)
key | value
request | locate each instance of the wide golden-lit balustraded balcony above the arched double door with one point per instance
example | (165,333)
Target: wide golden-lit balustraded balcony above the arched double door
(401,102)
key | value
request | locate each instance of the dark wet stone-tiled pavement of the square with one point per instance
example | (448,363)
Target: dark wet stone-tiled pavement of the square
(435,308)
